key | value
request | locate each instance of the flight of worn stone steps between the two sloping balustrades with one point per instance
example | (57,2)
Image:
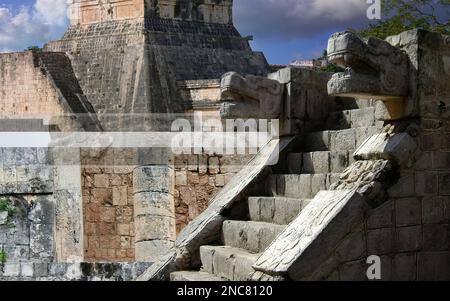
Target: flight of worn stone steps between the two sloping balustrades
(305,171)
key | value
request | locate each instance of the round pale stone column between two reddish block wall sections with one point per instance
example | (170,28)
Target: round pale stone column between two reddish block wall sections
(154,211)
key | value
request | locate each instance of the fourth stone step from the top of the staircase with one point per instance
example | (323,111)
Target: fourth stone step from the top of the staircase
(300,186)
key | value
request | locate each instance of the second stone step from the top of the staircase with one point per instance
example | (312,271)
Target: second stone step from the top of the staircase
(342,140)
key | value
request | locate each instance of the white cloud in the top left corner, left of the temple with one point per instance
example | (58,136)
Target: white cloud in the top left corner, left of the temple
(35,25)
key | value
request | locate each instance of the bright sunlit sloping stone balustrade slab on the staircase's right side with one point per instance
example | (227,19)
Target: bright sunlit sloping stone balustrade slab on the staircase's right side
(312,237)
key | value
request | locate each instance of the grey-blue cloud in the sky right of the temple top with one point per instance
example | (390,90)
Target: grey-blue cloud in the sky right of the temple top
(292,19)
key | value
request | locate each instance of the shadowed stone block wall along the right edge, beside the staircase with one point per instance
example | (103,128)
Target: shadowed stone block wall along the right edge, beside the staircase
(411,232)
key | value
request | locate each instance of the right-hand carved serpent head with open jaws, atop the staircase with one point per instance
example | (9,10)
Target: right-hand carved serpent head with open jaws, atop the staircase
(385,74)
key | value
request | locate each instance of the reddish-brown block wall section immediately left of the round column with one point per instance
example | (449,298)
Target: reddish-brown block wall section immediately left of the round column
(108,207)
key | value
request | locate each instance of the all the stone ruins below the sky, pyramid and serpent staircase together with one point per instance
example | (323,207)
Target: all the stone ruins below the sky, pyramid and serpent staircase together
(362,169)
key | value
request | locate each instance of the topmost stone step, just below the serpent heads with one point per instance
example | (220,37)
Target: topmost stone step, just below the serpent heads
(351,119)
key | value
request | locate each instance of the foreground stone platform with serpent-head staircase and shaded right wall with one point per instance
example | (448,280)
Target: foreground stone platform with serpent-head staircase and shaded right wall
(369,179)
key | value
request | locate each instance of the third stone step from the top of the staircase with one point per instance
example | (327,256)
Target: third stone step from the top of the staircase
(319,162)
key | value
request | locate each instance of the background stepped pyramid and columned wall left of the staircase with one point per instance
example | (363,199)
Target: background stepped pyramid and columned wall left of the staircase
(118,62)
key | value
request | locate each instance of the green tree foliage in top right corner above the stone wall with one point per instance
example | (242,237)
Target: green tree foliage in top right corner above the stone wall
(402,15)
